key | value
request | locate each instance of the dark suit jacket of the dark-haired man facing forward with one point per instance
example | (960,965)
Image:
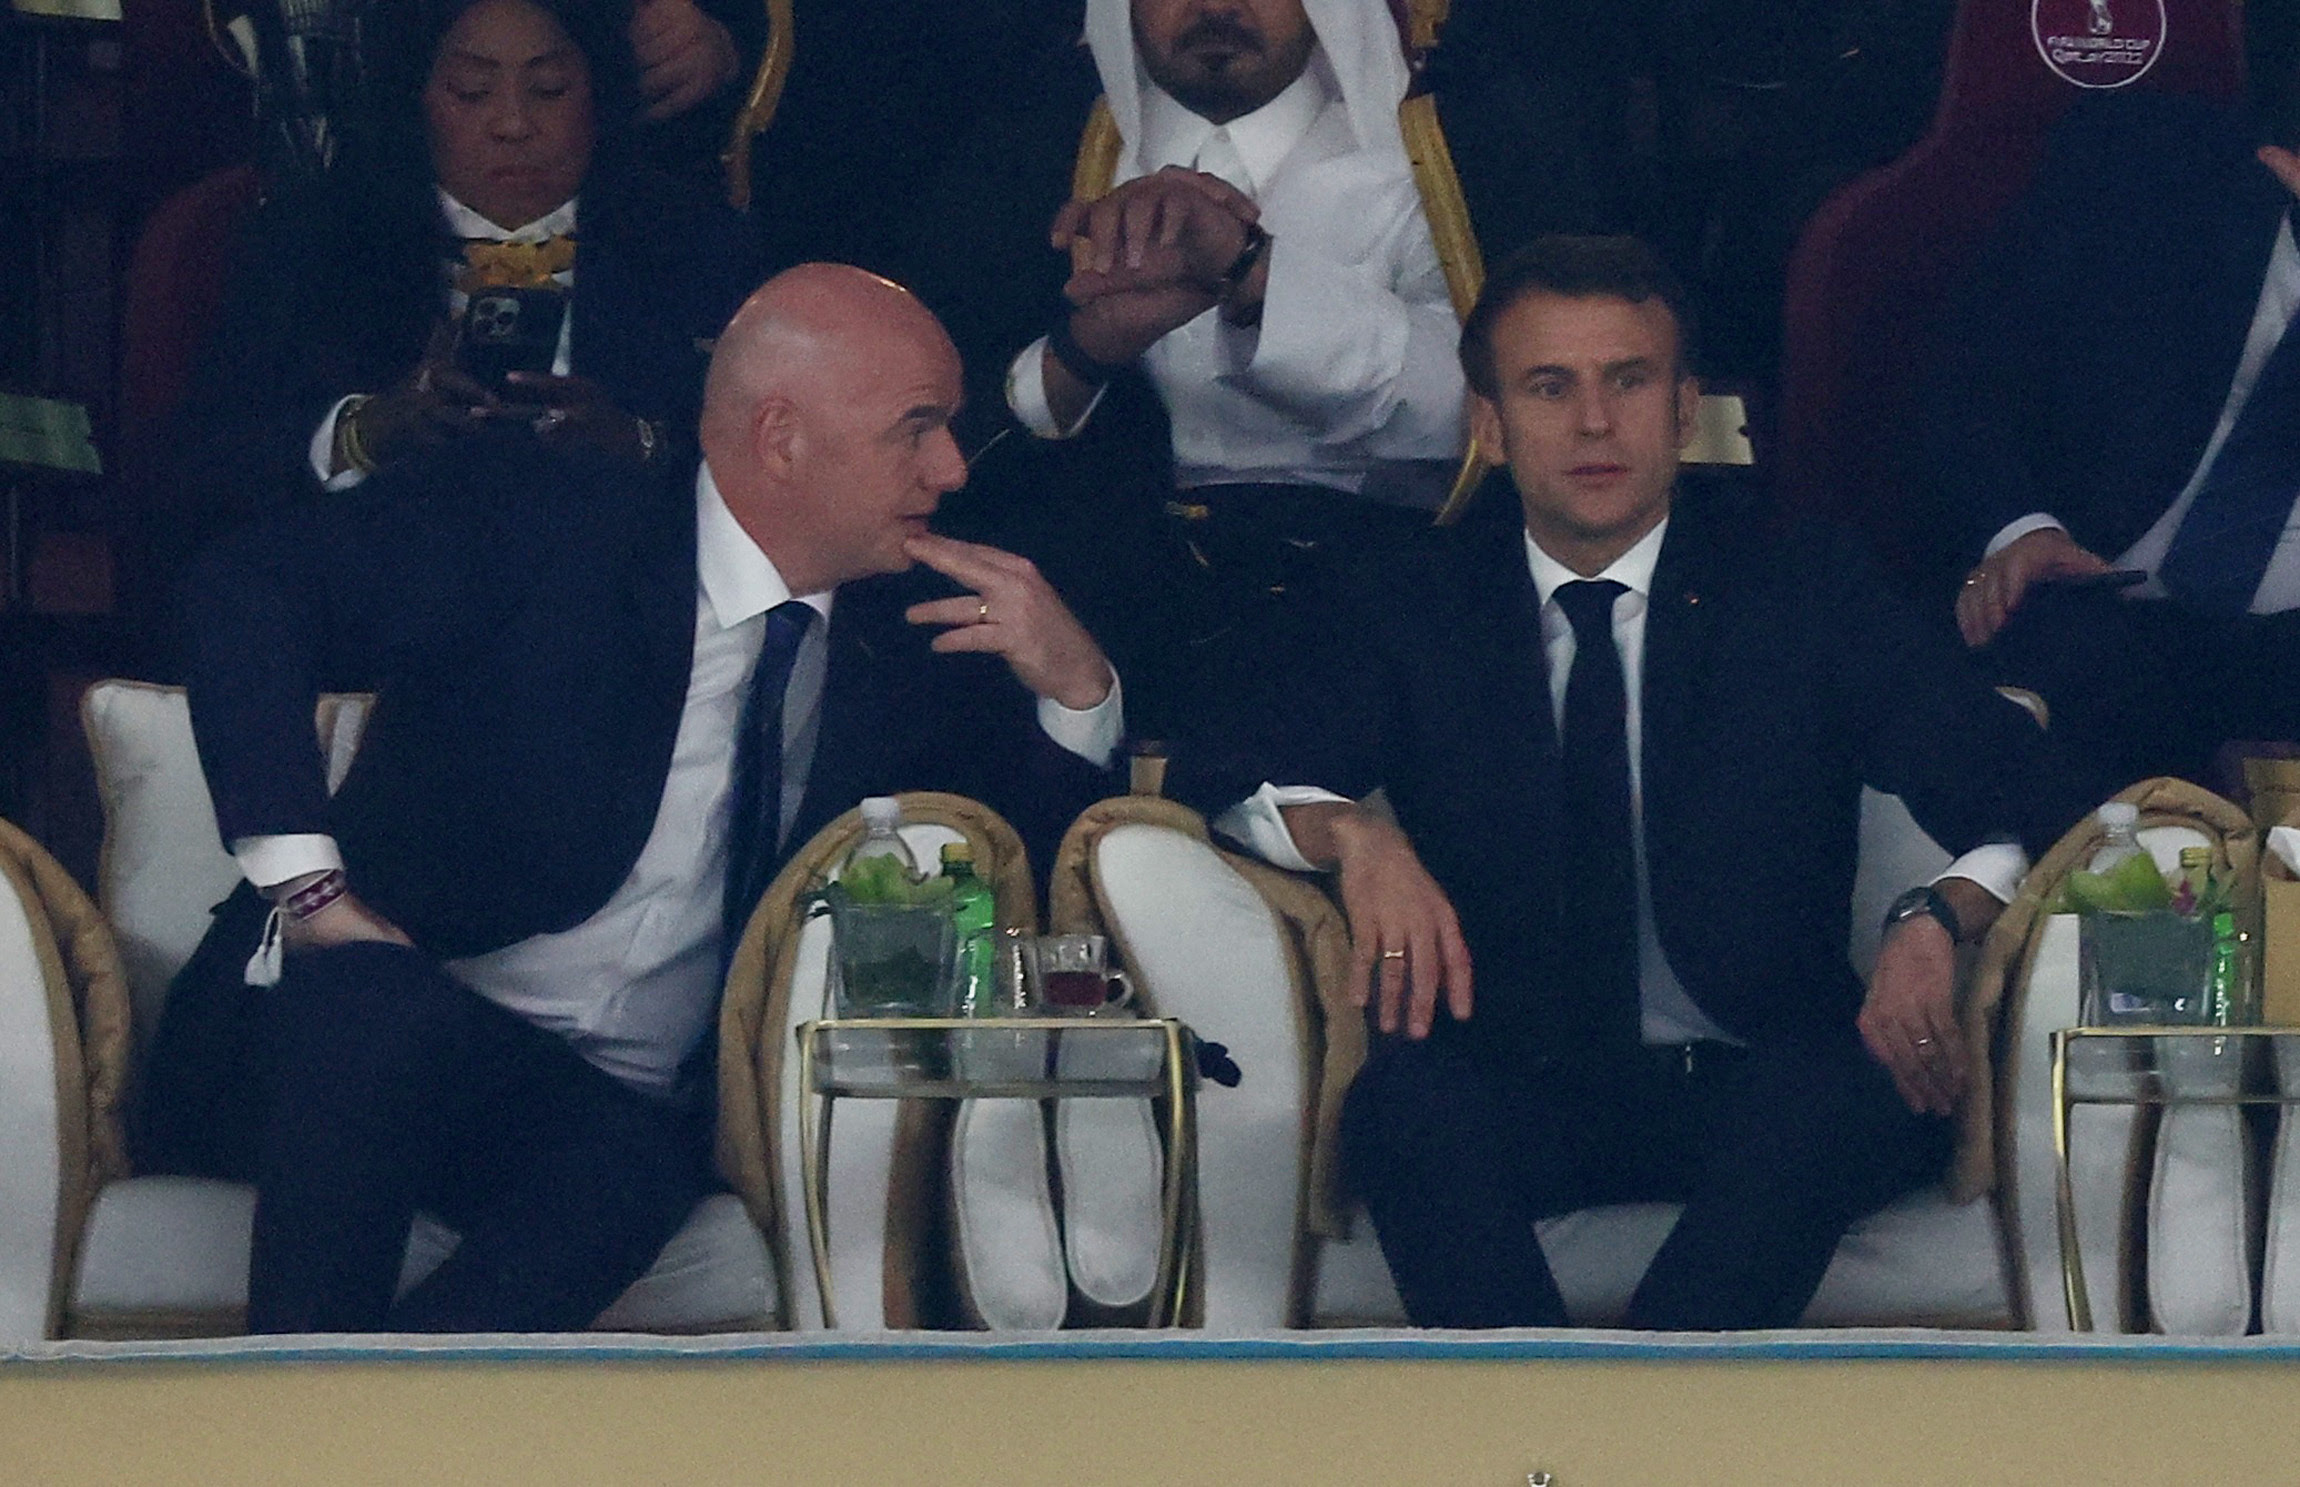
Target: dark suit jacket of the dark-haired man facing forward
(1779,679)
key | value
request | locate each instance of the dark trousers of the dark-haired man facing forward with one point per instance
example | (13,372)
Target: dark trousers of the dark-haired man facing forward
(1772,1150)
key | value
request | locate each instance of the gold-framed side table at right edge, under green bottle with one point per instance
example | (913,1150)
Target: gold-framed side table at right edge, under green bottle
(2156,1068)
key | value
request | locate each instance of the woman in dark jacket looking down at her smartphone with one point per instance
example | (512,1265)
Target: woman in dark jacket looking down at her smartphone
(486,259)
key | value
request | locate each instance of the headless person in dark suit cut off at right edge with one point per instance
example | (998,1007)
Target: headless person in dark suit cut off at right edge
(2119,399)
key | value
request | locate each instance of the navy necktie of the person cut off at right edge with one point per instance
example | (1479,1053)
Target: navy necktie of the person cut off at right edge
(2232,527)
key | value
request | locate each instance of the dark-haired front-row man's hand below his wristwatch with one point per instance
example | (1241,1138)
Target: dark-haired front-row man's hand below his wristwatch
(1910,1017)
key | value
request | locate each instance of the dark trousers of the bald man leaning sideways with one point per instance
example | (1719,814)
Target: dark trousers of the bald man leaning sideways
(392,1088)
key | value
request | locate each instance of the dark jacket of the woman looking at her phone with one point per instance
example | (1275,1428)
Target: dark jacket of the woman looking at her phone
(332,300)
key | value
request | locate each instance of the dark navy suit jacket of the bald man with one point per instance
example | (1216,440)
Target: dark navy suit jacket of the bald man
(528,624)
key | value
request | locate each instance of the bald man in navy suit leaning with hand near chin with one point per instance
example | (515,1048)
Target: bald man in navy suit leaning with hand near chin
(601,725)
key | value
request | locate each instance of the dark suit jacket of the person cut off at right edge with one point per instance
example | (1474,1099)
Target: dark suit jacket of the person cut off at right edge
(2090,355)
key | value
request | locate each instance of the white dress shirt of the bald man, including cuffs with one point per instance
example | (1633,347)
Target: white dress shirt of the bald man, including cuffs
(636,985)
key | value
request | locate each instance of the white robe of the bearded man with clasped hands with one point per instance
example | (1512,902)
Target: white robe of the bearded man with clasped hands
(1349,380)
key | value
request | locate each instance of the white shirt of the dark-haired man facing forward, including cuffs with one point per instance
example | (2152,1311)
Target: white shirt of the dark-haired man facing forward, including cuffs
(1666,1012)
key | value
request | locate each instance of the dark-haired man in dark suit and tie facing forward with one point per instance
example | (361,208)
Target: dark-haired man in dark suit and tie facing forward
(1625,748)
